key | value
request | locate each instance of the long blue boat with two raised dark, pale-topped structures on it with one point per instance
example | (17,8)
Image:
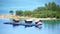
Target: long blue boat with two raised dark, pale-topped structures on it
(28,23)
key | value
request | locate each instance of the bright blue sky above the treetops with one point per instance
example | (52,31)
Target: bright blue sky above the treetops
(6,5)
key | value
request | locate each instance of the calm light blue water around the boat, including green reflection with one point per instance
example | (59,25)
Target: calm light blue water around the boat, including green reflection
(48,27)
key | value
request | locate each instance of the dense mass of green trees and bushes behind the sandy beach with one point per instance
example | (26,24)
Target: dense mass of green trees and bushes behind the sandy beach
(50,9)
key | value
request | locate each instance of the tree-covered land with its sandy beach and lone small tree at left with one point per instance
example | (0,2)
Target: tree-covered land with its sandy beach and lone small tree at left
(51,11)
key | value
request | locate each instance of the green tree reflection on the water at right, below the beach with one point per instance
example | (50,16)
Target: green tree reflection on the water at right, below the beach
(51,24)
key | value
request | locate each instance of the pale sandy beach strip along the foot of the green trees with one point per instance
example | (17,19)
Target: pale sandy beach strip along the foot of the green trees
(22,17)
